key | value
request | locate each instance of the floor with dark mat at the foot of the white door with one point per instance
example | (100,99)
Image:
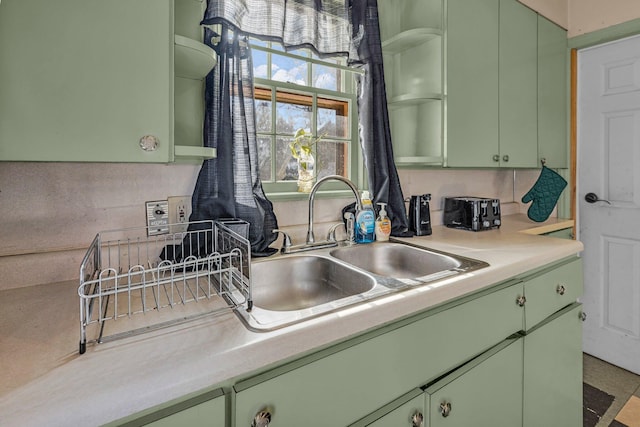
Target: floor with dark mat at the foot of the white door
(611,394)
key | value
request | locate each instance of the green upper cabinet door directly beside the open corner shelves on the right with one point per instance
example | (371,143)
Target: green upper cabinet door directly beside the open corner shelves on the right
(472,83)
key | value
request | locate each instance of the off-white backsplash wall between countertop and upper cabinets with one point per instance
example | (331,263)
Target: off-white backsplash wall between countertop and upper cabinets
(51,211)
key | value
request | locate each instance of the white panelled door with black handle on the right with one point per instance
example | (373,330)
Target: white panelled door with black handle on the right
(609,168)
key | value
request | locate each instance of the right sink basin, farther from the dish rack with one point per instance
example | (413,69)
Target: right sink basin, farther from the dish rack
(397,260)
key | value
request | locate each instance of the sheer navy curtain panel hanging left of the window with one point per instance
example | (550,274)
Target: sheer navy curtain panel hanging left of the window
(229,186)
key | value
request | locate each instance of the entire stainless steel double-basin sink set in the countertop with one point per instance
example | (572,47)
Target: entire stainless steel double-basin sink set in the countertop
(293,288)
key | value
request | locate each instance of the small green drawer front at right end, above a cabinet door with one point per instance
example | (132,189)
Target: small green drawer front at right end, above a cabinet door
(551,291)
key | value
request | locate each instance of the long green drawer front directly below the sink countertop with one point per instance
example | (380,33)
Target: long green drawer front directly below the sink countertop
(348,384)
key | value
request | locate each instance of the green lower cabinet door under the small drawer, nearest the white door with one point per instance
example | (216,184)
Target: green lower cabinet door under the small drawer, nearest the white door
(553,371)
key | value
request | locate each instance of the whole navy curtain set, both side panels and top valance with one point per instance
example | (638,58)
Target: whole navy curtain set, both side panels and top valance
(229,186)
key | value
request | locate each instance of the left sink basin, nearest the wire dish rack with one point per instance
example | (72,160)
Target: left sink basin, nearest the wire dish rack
(302,282)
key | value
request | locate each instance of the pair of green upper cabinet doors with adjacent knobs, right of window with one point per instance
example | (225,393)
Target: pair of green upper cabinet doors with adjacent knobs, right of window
(492,84)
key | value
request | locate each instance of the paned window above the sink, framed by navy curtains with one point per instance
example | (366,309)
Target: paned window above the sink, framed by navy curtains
(296,90)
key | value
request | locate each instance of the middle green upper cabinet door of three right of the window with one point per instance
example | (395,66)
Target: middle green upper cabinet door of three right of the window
(518,90)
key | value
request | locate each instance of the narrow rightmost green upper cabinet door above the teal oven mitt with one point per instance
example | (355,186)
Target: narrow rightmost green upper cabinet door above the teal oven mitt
(552,94)
